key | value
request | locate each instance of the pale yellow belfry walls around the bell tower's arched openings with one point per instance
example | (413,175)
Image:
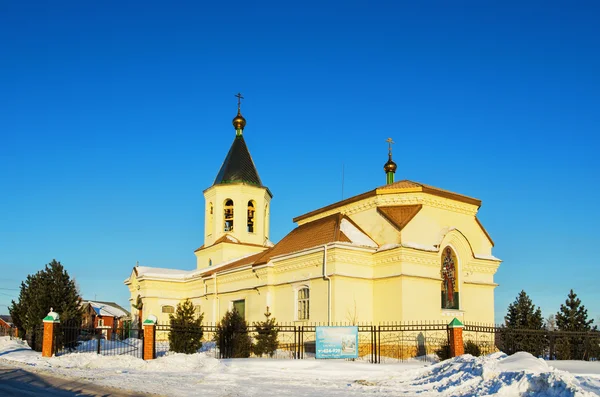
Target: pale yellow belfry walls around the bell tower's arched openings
(240,194)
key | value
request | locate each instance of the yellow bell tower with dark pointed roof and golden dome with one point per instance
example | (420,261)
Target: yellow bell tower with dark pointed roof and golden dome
(237,205)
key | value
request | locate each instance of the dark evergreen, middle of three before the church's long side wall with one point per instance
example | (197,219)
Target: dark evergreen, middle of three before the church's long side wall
(232,336)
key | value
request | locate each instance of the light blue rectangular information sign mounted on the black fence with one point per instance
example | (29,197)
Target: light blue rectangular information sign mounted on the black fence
(337,342)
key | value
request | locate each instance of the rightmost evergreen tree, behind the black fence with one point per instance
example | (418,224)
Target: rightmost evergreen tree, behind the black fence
(573,317)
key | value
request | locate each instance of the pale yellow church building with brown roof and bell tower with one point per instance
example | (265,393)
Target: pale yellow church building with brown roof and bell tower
(403,251)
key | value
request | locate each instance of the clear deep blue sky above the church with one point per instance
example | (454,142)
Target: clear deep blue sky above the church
(114,118)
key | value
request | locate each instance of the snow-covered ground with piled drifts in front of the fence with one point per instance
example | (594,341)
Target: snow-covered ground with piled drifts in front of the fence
(188,375)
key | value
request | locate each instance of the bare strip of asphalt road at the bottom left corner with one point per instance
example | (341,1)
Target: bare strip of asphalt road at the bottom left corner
(18,382)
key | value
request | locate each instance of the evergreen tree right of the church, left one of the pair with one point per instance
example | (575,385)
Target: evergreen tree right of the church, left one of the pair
(524,327)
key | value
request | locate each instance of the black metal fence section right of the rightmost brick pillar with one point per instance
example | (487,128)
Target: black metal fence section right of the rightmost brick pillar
(550,345)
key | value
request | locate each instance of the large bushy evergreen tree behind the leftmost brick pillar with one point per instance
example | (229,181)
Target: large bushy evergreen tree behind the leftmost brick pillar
(48,288)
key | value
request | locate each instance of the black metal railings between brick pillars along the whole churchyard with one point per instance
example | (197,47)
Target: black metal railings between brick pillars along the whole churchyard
(386,342)
